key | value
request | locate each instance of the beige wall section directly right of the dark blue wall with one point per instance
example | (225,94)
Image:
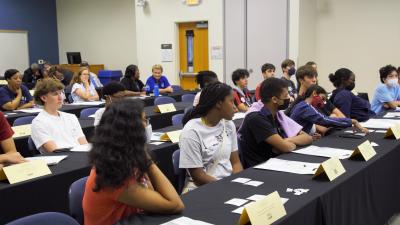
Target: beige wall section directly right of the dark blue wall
(102,30)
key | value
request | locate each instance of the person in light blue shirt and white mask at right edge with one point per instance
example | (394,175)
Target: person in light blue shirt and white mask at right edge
(387,94)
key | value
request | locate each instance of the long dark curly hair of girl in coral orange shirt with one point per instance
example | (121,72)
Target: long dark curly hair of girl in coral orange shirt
(119,145)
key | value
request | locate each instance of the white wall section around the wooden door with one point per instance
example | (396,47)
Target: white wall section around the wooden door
(156,24)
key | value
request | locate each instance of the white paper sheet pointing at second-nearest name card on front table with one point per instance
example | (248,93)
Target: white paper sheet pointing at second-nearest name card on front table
(289,166)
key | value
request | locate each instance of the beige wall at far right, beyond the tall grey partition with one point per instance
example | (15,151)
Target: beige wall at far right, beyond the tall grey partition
(362,35)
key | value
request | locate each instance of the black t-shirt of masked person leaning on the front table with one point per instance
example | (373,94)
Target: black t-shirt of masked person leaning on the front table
(255,129)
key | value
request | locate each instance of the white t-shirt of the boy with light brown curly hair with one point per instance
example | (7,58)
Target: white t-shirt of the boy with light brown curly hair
(64,130)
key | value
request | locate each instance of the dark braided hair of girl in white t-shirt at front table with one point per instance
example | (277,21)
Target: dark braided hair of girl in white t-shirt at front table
(209,97)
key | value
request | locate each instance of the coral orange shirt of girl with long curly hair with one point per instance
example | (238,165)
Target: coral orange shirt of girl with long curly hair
(103,207)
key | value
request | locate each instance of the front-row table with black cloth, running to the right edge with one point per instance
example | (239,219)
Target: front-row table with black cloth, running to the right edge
(368,193)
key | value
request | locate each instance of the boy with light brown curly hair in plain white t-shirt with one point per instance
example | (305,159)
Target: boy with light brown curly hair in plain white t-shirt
(53,129)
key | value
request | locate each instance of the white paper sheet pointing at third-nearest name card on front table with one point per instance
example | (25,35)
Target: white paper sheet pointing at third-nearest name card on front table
(325,152)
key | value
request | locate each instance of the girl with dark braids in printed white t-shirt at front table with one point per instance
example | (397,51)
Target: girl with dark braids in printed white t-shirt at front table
(208,142)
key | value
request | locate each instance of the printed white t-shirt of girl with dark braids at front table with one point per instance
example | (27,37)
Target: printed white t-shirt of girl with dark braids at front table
(199,142)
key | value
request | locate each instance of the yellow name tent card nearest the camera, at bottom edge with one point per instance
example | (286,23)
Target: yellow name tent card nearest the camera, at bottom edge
(264,211)
